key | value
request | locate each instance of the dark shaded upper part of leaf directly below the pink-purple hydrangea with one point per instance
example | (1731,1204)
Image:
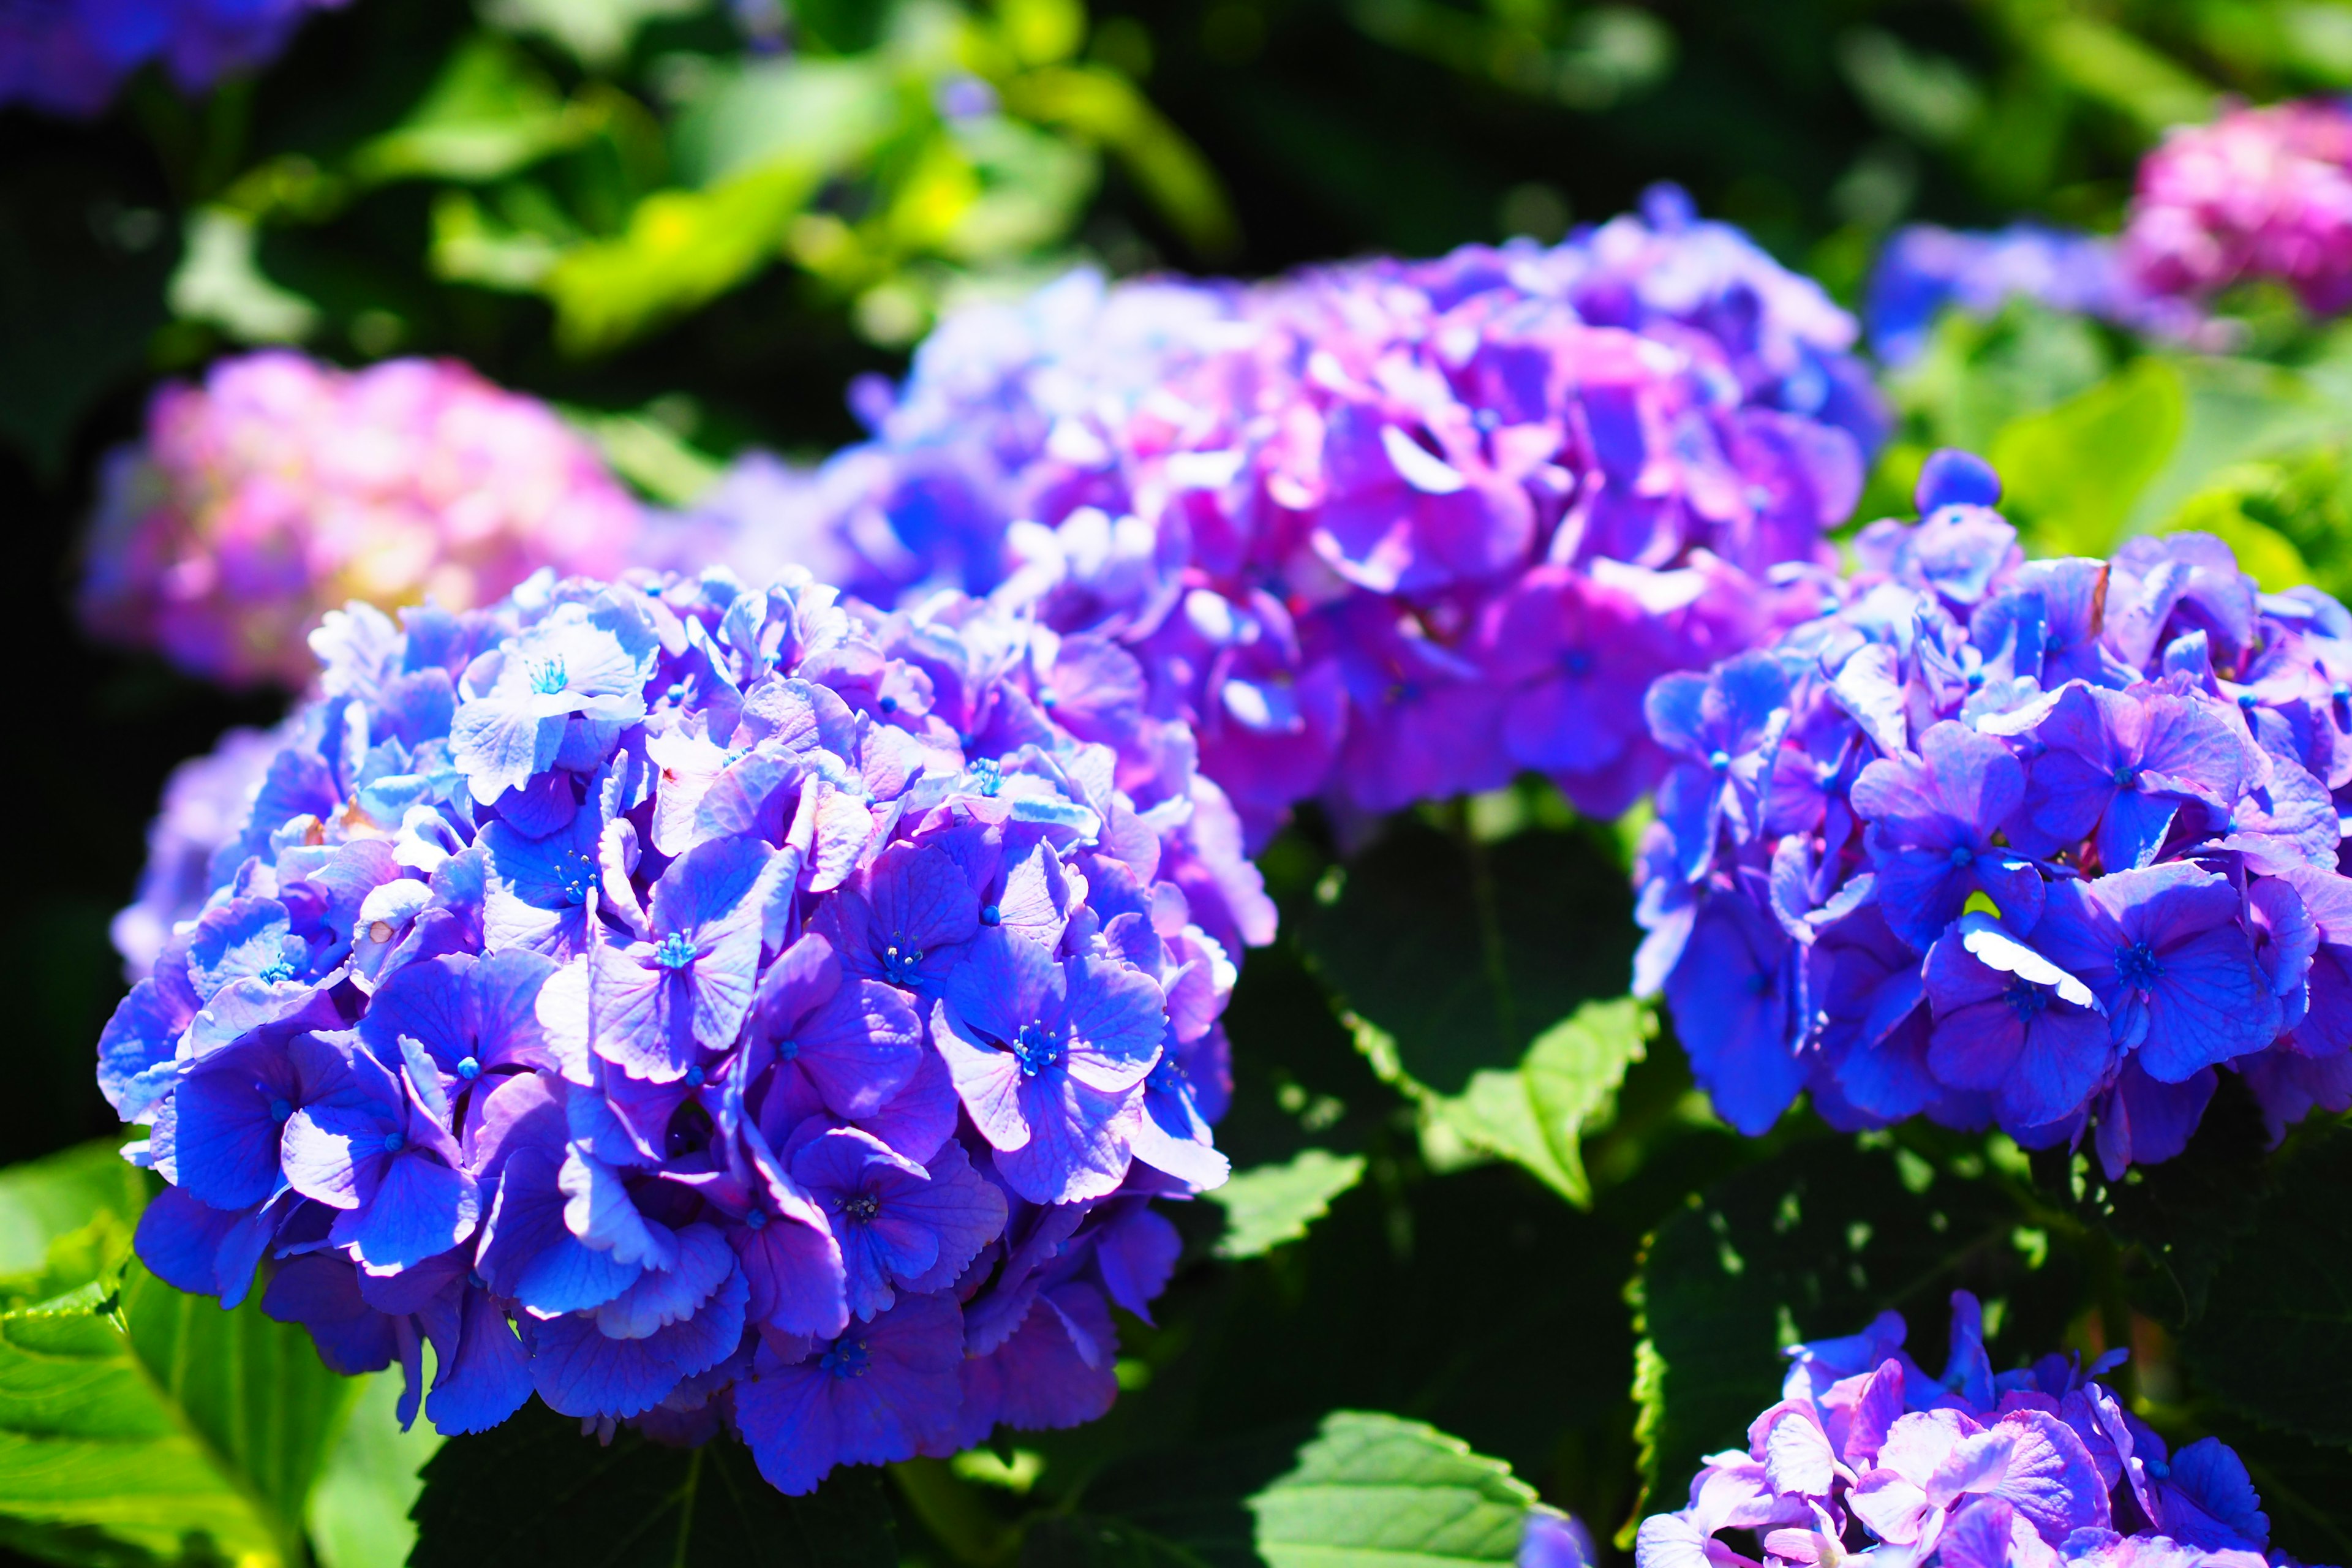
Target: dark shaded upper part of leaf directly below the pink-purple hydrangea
(1464,953)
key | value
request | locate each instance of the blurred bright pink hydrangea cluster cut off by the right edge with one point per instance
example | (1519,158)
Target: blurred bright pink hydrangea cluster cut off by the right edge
(2257,194)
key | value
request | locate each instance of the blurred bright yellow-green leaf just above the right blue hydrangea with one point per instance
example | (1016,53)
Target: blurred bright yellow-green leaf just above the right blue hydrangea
(2071,474)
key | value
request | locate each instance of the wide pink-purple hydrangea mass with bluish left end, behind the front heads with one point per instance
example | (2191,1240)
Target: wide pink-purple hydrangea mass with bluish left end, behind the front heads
(1389,530)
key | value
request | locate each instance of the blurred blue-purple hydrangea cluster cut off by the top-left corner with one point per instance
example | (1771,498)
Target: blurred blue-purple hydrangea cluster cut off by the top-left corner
(67,58)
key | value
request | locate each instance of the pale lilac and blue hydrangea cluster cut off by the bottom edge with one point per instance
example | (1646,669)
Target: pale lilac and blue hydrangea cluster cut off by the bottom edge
(1975,1470)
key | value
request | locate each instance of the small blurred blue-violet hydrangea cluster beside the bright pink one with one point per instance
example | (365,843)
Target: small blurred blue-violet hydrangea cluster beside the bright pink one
(1925,269)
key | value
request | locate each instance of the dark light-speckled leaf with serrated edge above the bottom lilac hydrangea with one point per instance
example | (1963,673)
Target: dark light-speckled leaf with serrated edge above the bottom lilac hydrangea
(1812,1245)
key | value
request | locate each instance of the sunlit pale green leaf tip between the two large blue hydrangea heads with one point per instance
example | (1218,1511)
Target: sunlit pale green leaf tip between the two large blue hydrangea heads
(1537,1115)
